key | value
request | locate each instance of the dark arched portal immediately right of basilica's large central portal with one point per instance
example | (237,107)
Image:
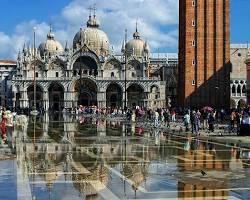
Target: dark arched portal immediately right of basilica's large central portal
(114,96)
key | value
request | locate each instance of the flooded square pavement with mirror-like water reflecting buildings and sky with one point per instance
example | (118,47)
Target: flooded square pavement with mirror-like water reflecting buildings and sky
(66,157)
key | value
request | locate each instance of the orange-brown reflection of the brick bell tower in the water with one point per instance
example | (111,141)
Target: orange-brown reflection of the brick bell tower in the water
(201,156)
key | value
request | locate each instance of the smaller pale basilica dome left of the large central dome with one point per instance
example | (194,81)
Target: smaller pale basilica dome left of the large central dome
(50,46)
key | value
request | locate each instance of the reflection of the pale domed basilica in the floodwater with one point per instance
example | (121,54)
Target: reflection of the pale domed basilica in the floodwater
(83,151)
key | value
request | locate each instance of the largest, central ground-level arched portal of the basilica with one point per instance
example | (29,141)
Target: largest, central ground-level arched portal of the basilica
(86,92)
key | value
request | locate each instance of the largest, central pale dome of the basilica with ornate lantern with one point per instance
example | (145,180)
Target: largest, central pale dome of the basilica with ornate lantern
(94,38)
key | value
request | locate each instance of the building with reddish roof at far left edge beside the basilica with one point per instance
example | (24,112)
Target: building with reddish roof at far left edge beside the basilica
(7,70)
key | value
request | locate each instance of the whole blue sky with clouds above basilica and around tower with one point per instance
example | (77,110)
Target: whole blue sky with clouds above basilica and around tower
(157,24)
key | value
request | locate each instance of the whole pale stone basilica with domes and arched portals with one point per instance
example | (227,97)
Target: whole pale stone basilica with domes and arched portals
(86,73)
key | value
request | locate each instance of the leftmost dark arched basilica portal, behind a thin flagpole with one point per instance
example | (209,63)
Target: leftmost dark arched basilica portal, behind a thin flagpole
(39,96)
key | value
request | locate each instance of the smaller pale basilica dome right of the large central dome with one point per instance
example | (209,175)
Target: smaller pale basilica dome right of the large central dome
(137,46)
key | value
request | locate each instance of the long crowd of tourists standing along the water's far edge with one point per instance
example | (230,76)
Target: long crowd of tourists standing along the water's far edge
(194,120)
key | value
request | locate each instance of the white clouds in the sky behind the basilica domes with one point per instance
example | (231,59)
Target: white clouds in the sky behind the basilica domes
(115,17)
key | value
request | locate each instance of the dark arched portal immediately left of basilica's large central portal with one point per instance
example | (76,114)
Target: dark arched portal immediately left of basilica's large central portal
(56,97)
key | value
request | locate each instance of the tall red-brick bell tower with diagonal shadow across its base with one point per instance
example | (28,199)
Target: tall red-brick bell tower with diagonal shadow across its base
(204,53)
